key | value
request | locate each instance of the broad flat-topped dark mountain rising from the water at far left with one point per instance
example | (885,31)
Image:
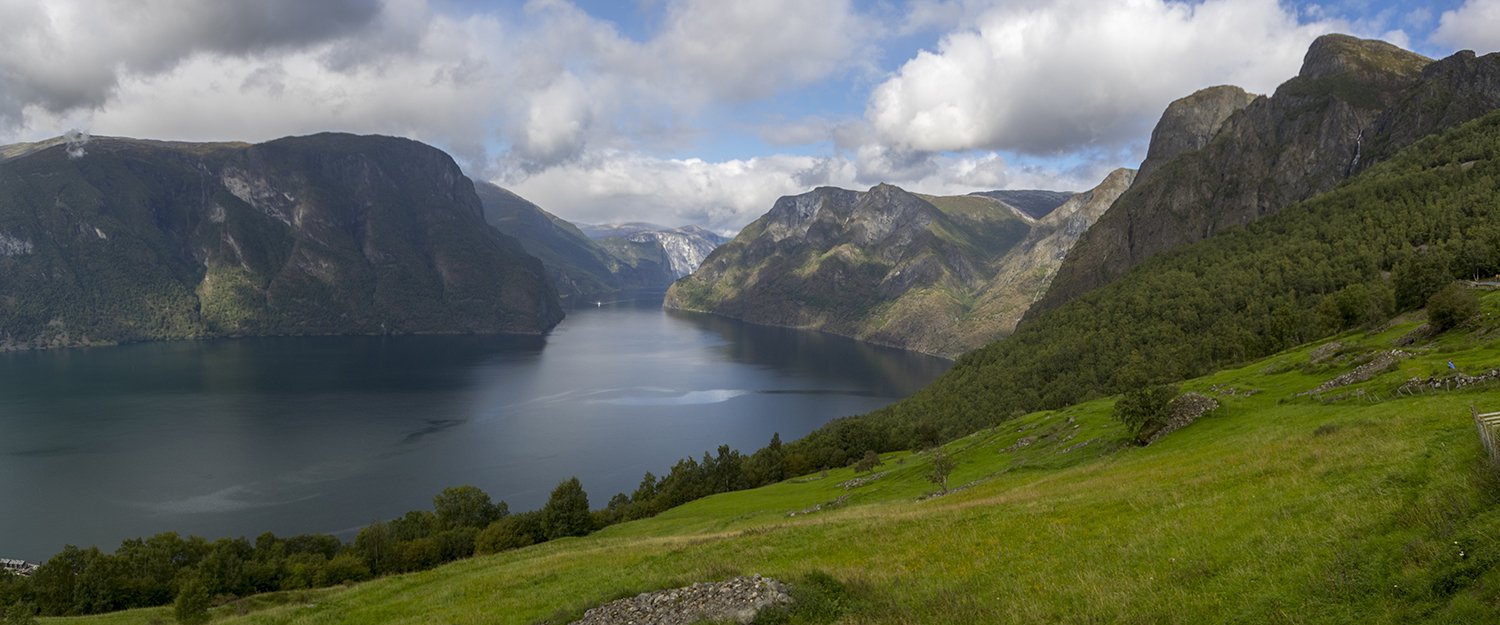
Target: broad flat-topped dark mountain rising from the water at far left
(325,235)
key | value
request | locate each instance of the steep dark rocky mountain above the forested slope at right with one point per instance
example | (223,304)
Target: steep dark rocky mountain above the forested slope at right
(1220,160)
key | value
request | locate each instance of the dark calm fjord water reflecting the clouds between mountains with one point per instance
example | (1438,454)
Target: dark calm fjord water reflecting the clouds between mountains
(328,434)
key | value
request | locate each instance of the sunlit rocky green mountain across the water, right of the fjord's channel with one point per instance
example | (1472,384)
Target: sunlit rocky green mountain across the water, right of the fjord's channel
(940,275)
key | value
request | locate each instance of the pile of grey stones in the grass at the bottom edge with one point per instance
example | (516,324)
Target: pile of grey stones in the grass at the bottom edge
(737,600)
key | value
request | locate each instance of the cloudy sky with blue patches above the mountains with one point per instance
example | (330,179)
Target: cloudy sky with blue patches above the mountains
(685,112)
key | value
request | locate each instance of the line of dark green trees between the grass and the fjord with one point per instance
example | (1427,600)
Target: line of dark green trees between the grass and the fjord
(194,572)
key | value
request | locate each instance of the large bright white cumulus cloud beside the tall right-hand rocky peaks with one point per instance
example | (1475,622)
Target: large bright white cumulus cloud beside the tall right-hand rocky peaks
(1046,79)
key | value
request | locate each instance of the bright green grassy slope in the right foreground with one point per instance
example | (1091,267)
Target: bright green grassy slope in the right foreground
(1277,507)
